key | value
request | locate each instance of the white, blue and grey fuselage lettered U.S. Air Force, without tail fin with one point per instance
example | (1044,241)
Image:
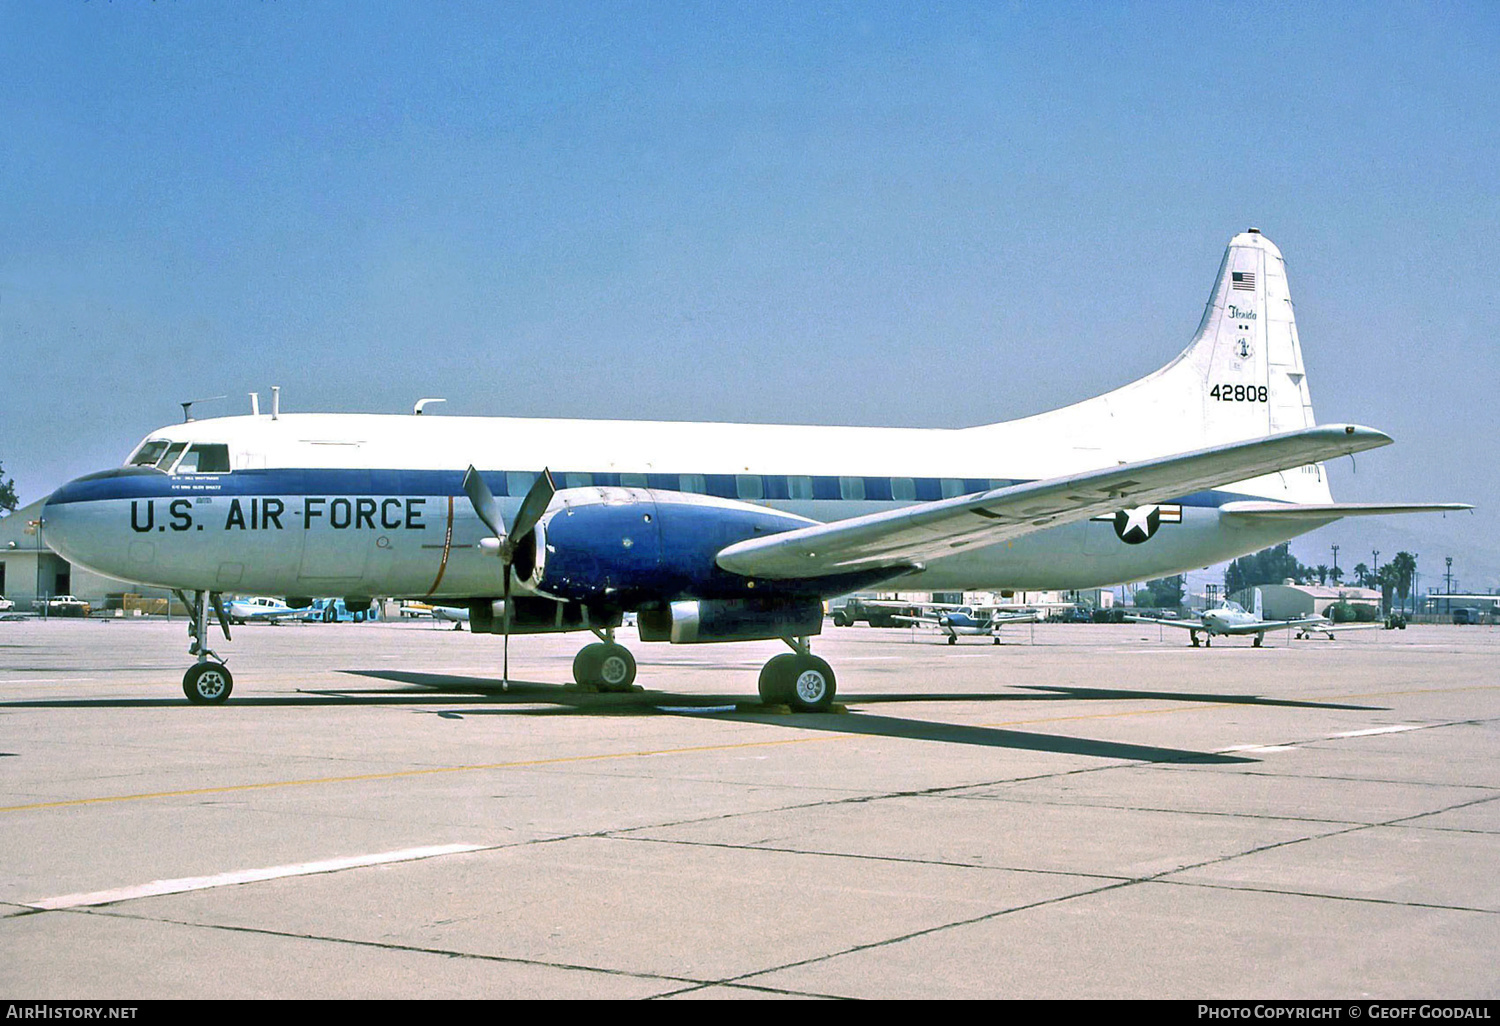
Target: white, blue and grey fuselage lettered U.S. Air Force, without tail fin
(374,506)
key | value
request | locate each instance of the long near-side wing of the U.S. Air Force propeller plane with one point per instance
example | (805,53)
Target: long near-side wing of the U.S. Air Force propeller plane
(911,536)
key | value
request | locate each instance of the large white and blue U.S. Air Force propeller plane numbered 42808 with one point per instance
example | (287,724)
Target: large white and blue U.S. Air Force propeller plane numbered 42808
(719,533)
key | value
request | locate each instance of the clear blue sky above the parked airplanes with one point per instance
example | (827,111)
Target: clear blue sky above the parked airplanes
(929,215)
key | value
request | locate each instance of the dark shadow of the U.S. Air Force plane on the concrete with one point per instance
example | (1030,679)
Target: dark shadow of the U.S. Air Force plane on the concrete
(524,698)
